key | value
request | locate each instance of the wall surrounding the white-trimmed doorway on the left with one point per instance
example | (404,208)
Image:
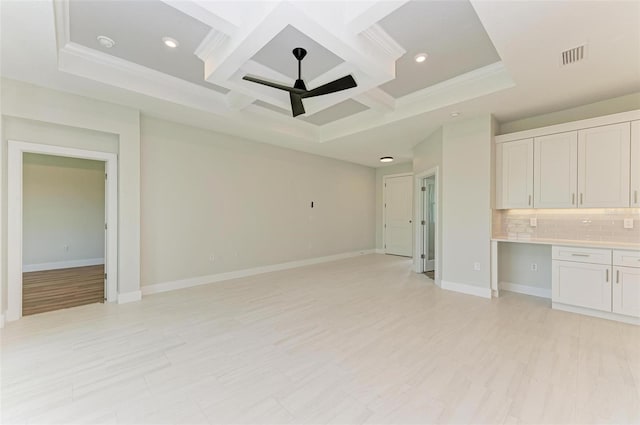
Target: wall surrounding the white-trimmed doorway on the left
(39,115)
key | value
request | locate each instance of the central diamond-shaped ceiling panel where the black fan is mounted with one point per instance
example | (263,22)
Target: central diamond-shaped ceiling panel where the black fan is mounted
(276,54)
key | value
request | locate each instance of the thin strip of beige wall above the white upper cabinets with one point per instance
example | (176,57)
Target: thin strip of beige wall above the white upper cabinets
(614,105)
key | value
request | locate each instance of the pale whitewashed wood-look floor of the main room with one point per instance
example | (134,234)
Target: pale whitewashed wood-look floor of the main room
(359,341)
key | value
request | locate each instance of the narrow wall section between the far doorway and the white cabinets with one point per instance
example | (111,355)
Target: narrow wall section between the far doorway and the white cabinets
(466,201)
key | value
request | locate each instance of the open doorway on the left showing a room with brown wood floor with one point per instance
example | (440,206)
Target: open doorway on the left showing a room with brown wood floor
(63,232)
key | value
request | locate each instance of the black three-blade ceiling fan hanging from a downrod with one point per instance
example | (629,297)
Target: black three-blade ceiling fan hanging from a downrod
(299,90)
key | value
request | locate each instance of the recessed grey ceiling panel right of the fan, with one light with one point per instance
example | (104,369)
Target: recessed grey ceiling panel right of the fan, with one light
(448,31)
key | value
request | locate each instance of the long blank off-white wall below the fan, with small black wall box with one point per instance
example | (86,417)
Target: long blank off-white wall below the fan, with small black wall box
(246,204)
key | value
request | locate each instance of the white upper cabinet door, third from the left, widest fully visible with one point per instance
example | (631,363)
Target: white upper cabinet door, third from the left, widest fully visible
(604,165)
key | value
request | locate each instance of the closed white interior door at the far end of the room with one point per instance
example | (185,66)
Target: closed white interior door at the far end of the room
(398,226)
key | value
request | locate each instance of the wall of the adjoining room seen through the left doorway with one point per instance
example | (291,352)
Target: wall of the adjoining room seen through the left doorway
(63,211)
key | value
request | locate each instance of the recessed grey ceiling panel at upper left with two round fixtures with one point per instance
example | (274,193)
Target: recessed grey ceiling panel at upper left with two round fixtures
(137,27)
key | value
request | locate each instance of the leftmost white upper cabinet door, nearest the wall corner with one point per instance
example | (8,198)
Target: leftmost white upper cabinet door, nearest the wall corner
(514,177)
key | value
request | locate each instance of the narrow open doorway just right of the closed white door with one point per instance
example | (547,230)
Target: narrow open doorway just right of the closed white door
(427,228)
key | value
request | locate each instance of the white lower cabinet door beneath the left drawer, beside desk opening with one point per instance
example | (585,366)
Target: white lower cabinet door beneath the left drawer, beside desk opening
(581,284)
